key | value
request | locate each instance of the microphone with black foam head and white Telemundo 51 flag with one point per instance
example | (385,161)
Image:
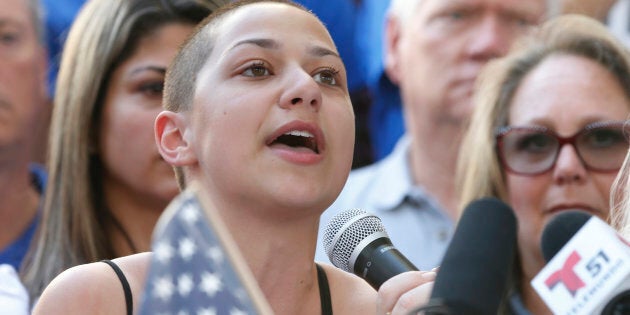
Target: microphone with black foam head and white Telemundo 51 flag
(588,269)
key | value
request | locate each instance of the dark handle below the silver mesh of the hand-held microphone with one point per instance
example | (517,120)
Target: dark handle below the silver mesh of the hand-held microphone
(379,261)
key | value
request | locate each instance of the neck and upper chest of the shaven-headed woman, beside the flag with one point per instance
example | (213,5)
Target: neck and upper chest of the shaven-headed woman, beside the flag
(281,257)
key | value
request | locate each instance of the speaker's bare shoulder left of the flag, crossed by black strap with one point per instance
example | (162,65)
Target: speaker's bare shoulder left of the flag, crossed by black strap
(93,288)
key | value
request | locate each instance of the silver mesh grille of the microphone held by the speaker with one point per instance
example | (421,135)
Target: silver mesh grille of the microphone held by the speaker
(345,231)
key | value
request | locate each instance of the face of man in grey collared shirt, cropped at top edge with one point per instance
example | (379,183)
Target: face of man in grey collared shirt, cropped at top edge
(437,53)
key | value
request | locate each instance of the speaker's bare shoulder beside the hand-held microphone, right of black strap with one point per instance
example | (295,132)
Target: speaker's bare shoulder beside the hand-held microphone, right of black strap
(350,294)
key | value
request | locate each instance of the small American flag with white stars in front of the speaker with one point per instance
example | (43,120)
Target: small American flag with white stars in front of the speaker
(195,267)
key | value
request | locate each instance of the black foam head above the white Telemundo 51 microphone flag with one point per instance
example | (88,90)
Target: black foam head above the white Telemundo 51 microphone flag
(560,230)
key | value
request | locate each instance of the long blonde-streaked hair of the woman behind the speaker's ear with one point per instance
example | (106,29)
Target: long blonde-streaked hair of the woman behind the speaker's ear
(104,34)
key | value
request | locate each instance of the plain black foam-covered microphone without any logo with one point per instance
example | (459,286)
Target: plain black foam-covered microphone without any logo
(474,273)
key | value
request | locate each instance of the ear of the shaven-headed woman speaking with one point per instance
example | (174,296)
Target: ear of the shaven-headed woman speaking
(170,137)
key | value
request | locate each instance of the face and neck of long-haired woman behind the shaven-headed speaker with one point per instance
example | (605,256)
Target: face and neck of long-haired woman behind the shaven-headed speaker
(138,183)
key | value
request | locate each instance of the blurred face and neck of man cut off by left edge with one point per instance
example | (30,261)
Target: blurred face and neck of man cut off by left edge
(23,103)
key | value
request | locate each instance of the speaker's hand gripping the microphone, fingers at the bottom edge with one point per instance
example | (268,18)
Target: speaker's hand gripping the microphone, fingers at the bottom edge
(405,292)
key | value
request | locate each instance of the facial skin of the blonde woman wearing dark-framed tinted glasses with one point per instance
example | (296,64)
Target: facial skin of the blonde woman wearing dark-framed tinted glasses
(577,92)
